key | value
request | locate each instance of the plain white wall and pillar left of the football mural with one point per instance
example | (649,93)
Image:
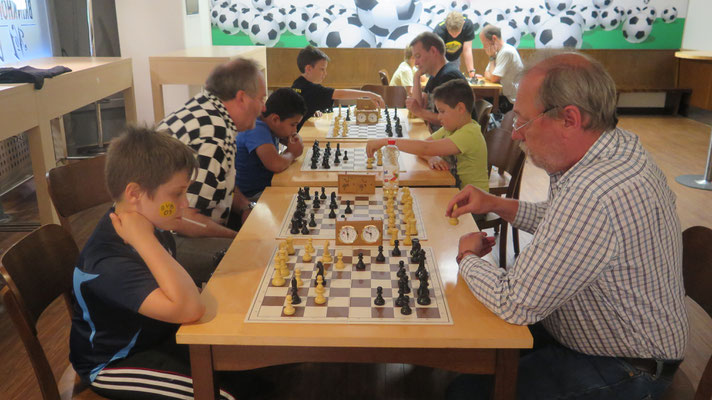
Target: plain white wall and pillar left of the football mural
(148,28)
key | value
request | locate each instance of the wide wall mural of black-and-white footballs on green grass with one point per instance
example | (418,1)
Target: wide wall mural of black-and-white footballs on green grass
(587,24)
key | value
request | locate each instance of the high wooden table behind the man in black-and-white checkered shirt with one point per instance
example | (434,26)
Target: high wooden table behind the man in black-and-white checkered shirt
(192,67)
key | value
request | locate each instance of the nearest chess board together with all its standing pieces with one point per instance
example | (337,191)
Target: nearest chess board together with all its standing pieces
(355,285)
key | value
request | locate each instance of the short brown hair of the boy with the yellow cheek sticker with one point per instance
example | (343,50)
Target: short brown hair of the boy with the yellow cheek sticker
(146,157)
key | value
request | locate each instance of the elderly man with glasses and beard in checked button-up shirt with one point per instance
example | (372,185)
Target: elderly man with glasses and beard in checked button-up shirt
(601,282)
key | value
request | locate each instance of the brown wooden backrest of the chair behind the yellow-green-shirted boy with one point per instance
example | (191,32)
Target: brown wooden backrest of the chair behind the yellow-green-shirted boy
(505,154)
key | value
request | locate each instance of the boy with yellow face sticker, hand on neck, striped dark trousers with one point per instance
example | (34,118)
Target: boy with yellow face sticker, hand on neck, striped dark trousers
(130,293)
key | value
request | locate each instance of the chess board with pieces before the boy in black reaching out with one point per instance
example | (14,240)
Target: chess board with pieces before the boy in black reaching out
(344,127)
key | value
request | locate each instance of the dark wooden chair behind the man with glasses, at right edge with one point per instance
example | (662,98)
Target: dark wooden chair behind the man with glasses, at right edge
(697,274)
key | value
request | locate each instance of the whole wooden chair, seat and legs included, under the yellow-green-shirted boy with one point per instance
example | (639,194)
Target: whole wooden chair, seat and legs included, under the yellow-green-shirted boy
(504,154)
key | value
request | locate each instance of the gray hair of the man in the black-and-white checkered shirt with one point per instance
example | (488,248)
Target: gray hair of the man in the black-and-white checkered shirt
(229,78)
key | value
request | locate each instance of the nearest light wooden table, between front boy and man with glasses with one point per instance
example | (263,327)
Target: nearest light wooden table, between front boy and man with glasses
(477,342)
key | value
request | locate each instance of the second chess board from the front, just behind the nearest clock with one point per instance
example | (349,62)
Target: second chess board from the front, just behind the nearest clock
(363,207)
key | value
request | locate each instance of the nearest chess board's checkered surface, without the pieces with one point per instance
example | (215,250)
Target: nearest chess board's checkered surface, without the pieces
(350,293)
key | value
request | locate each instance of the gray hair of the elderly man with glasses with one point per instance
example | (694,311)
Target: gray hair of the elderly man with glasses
(582,82)
